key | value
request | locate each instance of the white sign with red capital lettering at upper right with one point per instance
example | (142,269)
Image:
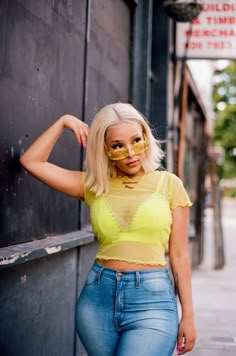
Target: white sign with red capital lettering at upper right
(212,35)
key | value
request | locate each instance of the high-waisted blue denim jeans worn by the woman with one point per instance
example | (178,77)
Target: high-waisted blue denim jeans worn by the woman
(131,313)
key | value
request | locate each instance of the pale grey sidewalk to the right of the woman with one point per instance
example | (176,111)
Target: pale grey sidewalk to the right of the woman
(214,291)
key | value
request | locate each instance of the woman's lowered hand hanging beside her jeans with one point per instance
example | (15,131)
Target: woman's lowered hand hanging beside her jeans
(186,336)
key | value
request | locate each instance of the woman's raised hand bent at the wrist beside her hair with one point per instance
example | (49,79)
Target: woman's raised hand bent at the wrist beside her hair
(80,128)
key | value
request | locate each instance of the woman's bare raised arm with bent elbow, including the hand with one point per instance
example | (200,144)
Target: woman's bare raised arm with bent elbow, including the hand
(35,159)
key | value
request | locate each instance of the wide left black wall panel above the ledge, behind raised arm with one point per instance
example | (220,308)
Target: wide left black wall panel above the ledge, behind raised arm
(41,77)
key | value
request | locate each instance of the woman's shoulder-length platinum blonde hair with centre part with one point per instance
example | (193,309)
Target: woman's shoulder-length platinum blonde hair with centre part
(98,167)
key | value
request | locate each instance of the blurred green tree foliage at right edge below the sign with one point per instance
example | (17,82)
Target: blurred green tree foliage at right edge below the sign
(224,98)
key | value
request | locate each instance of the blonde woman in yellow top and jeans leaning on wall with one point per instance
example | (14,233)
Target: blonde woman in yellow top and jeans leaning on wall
(127,305)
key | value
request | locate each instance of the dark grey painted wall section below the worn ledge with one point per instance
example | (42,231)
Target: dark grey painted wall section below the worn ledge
(37,304)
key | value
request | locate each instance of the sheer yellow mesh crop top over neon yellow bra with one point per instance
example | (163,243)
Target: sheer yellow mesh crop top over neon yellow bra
(132,222)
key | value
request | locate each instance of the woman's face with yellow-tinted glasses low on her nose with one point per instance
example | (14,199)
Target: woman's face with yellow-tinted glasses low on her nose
(122,141)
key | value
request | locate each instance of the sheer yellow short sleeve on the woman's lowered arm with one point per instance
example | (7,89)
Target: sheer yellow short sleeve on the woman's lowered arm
(177,193)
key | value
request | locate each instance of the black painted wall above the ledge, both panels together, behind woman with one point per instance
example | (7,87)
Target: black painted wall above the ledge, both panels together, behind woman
(56,57)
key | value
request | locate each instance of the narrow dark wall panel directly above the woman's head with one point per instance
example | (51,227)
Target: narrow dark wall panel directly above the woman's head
(108,61)
